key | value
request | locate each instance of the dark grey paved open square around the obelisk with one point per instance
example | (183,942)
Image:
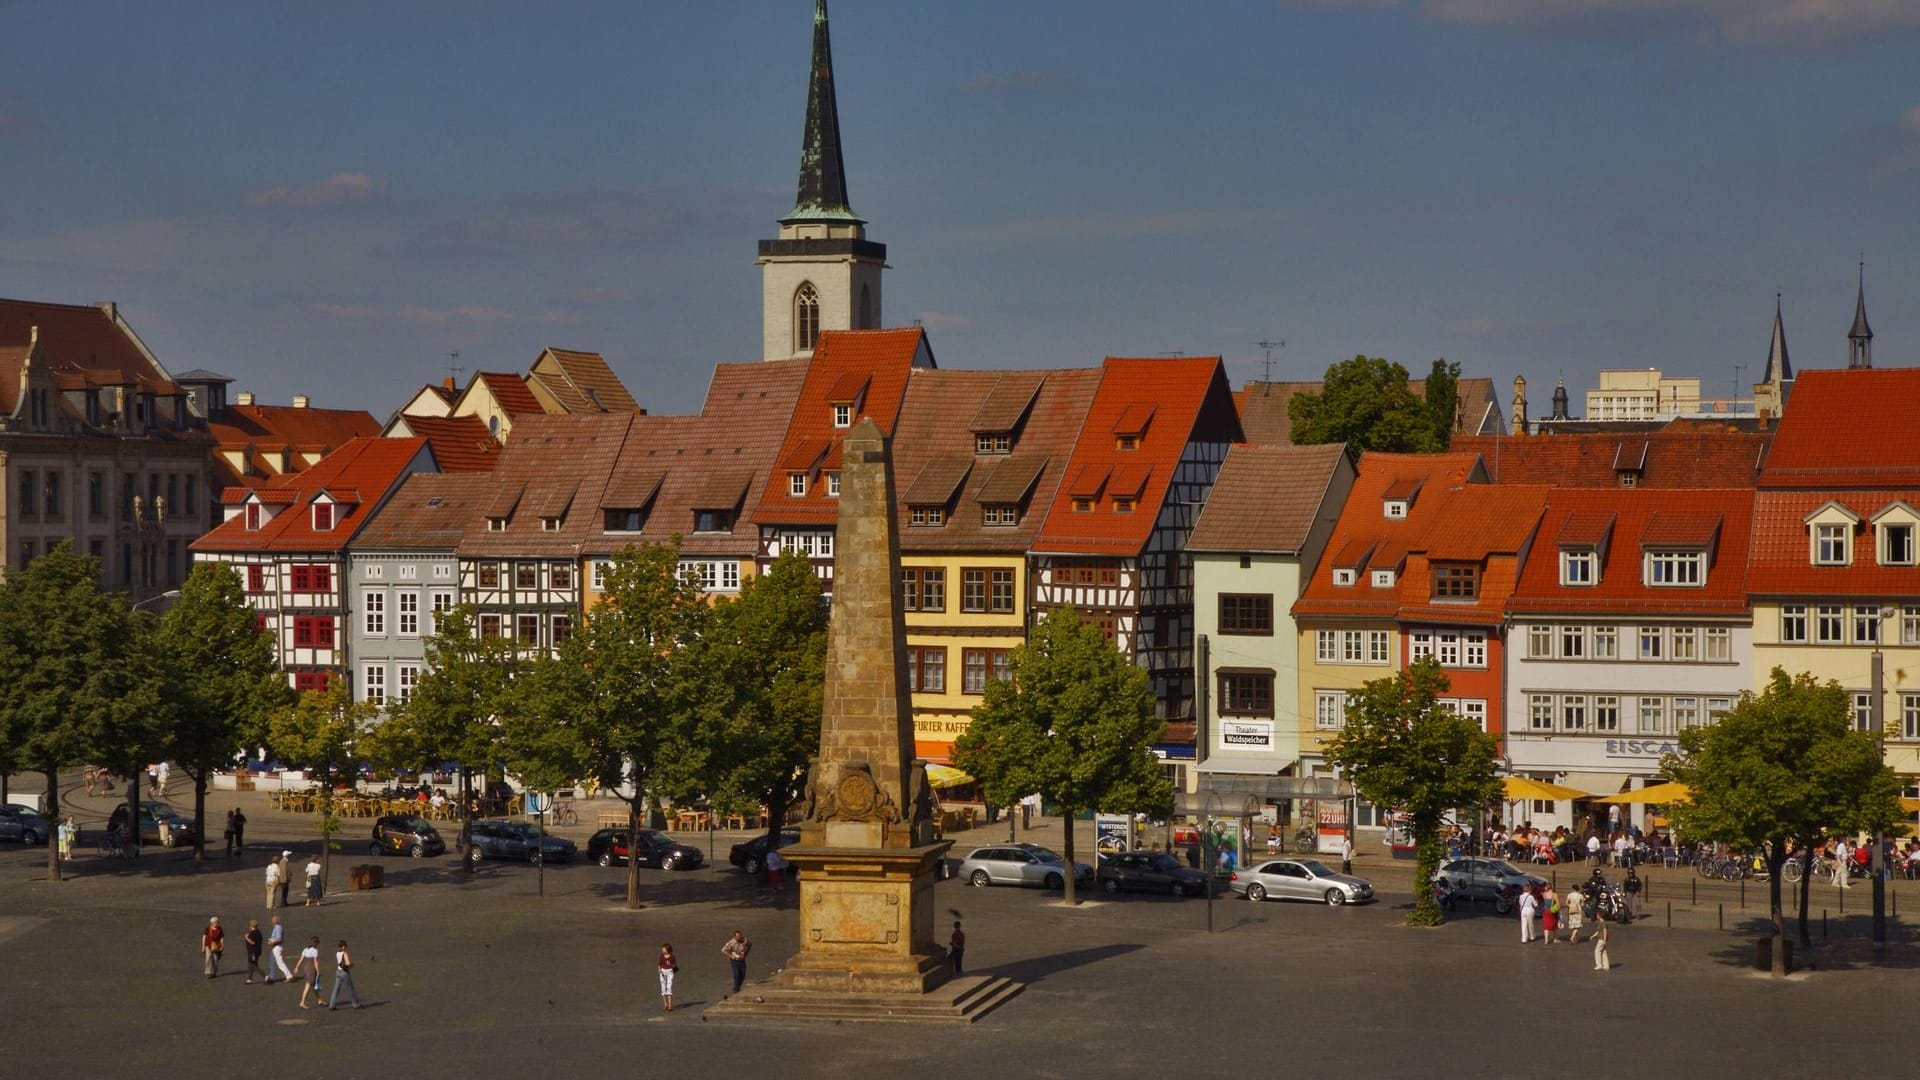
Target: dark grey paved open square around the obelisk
(101,977)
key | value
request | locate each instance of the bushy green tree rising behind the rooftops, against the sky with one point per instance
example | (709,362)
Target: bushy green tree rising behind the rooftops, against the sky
(1366,405)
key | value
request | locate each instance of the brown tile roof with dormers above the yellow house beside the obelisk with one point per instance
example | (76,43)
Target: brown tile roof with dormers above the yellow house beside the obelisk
(940,418)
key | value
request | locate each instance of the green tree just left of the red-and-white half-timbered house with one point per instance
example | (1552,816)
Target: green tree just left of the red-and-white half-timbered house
(222,681)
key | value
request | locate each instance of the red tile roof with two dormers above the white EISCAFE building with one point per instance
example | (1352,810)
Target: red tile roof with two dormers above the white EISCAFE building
(1639,518)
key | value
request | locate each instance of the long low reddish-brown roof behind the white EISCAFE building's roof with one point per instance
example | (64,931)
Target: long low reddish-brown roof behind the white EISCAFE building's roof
(1685,454)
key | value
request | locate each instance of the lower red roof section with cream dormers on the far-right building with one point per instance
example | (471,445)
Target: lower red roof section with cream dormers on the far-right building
(1783,547)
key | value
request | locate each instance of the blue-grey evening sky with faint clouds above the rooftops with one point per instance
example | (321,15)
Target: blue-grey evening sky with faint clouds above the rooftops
(331,199)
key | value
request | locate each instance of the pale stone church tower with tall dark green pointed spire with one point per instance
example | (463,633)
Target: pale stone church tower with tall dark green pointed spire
(821,274)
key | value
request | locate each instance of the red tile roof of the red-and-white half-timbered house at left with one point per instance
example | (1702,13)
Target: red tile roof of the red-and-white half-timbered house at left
(368,466)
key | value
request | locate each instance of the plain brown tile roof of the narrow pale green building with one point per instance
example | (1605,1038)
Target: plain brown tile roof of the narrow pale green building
(1266,499)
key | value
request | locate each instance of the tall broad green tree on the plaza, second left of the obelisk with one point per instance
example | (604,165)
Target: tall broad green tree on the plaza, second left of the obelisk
(617,700)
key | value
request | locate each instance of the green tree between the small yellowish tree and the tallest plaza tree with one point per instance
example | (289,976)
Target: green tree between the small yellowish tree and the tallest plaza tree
(456,710)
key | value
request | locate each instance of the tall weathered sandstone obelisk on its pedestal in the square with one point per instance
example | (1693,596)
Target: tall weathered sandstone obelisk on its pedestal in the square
(867,854)
